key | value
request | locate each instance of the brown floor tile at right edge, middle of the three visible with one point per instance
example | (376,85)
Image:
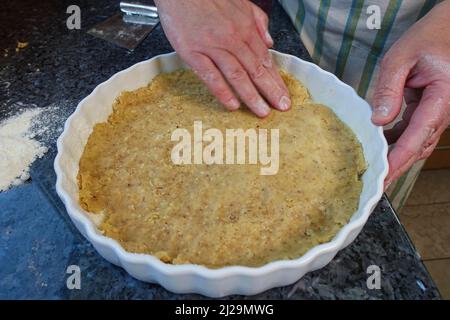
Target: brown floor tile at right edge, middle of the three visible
(429,229)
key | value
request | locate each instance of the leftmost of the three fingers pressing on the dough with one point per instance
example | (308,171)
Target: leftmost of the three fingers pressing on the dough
(211,76)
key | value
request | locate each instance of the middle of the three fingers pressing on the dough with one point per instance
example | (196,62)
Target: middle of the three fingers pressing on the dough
(240,81)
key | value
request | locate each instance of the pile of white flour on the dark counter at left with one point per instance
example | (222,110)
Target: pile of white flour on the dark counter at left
(18,148)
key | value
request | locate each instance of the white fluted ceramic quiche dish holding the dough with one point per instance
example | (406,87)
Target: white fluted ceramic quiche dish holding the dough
(323,87)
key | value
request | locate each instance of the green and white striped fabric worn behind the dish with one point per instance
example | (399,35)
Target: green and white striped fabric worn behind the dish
(338,38)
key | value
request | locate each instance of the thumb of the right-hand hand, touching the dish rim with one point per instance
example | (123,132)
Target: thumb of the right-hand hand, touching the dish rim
(388,95)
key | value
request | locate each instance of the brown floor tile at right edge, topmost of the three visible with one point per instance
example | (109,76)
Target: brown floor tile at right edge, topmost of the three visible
(432,186)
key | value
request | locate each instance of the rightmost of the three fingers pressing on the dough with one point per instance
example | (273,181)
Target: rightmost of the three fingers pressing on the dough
(263,79)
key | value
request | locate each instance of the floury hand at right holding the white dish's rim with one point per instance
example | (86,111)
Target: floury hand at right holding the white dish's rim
(417,67)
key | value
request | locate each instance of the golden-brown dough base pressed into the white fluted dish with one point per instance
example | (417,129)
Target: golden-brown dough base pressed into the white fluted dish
(218,215)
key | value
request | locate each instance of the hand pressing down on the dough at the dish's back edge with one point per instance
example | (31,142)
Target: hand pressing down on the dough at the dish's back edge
(226,43)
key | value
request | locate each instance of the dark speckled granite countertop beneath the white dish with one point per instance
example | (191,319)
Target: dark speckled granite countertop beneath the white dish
(38,241)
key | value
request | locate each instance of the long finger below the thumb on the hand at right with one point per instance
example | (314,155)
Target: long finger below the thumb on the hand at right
(421,135)
